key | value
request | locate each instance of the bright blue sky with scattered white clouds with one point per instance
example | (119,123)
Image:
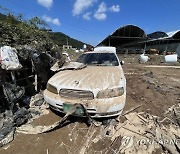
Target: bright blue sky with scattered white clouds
(92,20)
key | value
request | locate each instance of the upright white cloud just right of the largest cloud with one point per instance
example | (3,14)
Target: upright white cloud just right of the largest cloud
(100,14)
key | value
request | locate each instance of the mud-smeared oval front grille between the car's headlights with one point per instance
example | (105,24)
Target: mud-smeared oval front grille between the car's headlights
(76,94)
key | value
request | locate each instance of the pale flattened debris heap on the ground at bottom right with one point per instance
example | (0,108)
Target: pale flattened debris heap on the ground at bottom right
(144,133)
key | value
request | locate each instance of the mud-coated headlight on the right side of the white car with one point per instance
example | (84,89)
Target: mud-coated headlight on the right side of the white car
(109,93)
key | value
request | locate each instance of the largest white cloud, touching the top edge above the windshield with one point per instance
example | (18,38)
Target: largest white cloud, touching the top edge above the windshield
(81,5)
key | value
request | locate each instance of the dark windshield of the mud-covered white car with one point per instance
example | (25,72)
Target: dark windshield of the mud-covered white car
(99,59)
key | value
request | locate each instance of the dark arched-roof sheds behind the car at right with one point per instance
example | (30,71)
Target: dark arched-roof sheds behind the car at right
(133,39)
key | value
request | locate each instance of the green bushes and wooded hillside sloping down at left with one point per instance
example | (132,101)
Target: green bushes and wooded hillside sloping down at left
(15,30)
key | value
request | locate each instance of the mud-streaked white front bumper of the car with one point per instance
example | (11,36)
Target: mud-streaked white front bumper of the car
(96,108)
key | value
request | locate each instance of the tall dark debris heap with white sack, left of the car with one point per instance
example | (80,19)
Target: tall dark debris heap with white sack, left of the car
(23,73)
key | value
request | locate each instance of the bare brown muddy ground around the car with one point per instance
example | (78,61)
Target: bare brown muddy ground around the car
(154,88)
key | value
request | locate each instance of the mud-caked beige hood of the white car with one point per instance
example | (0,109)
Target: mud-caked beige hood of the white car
(92,78)
